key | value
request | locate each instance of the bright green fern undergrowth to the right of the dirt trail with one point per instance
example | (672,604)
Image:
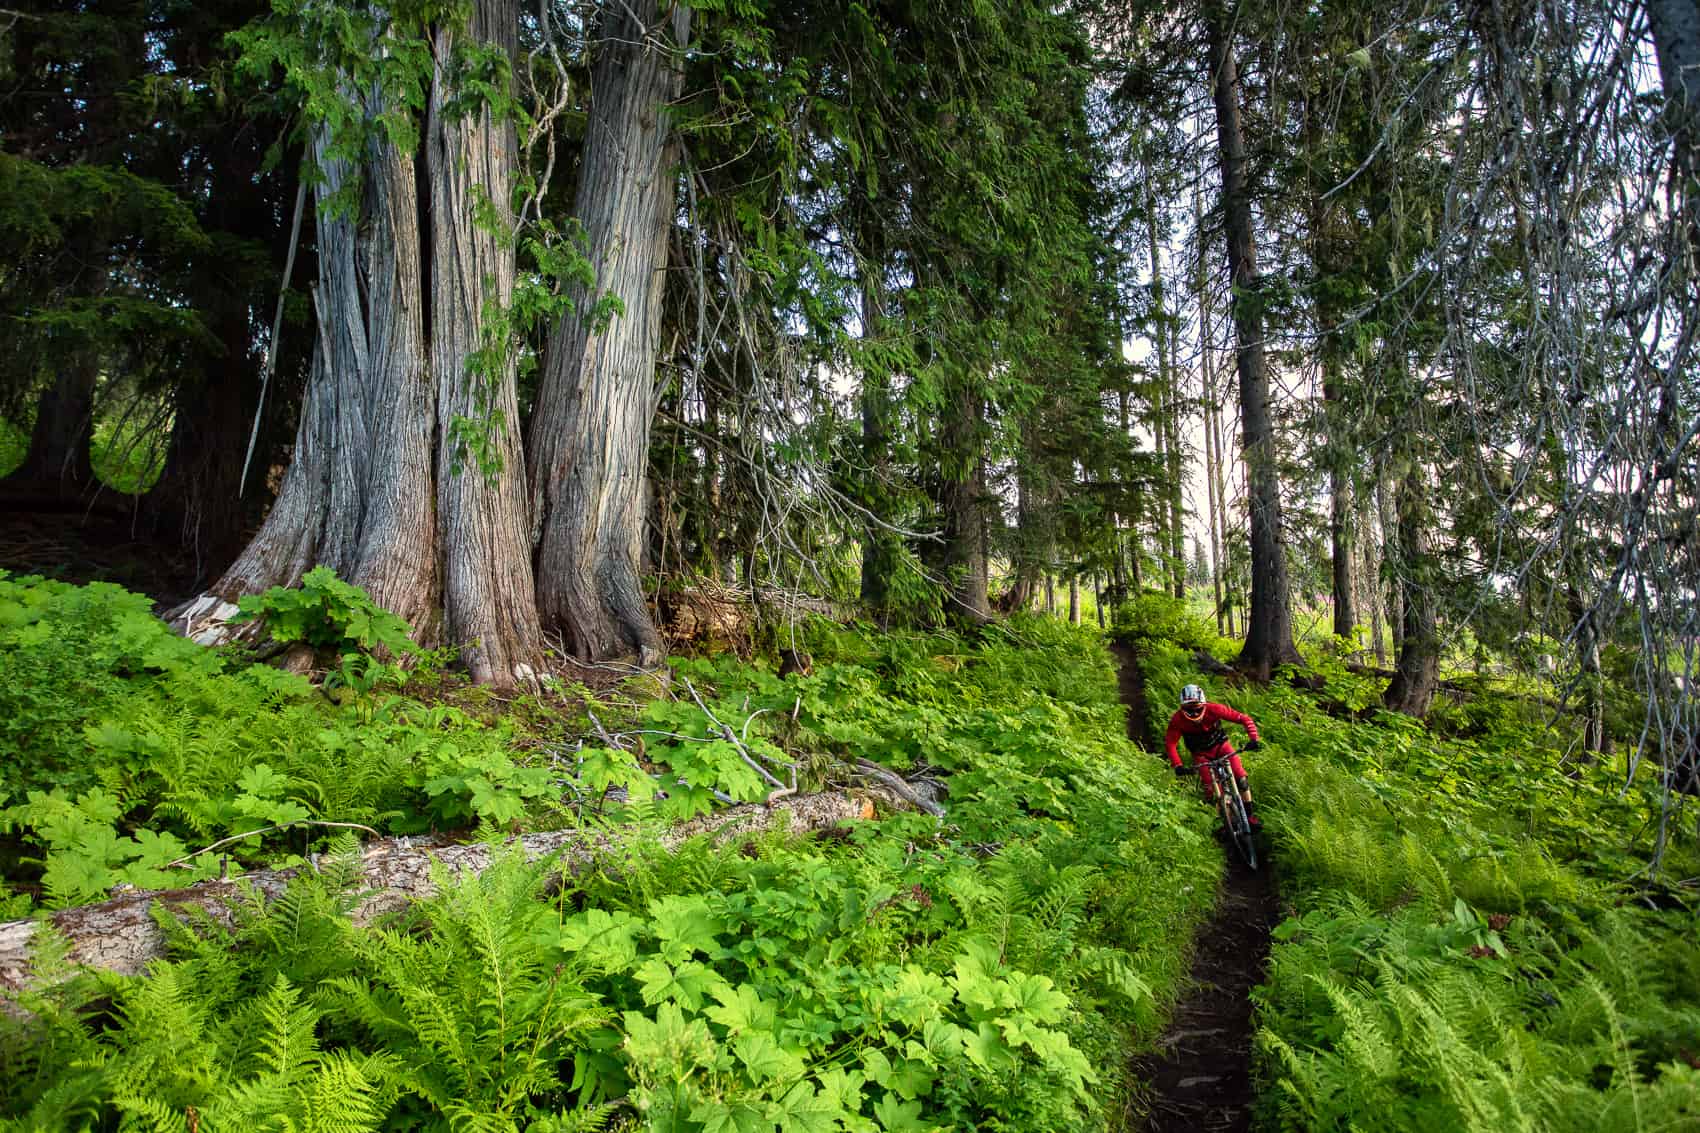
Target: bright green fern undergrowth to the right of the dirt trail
(1470,947)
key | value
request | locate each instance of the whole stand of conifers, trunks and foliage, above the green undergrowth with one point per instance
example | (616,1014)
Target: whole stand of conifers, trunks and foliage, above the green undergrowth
(528,321)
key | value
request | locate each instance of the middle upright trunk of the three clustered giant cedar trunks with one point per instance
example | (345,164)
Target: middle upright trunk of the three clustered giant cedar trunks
(480,496)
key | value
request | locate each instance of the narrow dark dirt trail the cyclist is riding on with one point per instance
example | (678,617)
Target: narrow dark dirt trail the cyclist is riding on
(1201,1071)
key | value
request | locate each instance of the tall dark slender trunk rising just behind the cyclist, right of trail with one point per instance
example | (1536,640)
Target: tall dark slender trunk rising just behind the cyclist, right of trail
(1269,632)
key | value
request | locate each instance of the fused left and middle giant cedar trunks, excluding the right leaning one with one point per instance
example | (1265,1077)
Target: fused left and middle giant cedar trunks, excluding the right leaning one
(375,486)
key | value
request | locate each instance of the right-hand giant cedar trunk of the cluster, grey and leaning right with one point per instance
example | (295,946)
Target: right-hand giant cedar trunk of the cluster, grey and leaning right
(589,450)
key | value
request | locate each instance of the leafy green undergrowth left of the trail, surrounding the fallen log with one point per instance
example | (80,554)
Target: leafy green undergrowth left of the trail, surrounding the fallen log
(910,974)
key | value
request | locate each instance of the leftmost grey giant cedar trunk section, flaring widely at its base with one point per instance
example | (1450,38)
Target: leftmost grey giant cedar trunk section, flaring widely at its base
(358,494)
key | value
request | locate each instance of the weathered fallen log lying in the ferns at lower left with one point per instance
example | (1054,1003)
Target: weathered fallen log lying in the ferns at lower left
(122,935)
